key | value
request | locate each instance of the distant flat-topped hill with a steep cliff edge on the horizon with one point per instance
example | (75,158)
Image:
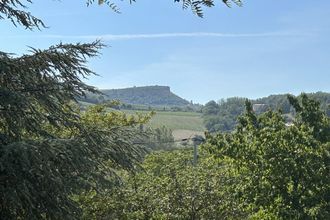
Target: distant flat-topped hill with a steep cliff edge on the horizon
(145,95)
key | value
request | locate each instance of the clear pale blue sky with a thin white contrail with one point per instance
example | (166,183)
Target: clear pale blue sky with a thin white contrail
(264,47)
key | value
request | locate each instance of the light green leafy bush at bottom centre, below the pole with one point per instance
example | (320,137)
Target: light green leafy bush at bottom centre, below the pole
(168,187)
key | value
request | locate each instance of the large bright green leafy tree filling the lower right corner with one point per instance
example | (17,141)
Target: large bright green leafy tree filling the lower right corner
(283,172)
